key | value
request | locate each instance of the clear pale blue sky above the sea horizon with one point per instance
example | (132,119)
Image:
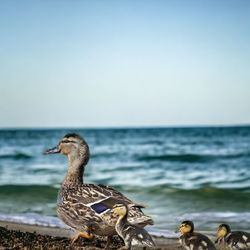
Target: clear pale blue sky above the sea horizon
(124,63)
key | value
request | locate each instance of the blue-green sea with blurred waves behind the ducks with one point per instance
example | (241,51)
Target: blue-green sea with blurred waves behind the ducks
(202,174)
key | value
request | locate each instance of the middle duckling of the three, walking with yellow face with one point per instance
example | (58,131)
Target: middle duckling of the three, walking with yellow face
(191,240)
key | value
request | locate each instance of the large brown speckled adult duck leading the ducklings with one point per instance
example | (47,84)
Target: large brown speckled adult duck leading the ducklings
(87,207)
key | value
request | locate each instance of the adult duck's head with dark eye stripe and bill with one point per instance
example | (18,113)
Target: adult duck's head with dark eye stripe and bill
(72,145)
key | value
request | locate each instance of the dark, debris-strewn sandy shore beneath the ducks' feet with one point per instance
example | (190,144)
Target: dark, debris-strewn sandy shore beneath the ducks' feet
(23,236)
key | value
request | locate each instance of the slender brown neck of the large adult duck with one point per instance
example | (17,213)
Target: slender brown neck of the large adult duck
(75,170)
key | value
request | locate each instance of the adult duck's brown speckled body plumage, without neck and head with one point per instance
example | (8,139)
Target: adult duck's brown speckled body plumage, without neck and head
(74,208)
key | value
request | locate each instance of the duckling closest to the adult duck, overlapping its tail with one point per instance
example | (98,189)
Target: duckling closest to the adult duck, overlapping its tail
(131,234)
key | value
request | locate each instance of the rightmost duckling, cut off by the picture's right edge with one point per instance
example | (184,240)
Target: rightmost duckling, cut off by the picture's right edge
(232,240)
